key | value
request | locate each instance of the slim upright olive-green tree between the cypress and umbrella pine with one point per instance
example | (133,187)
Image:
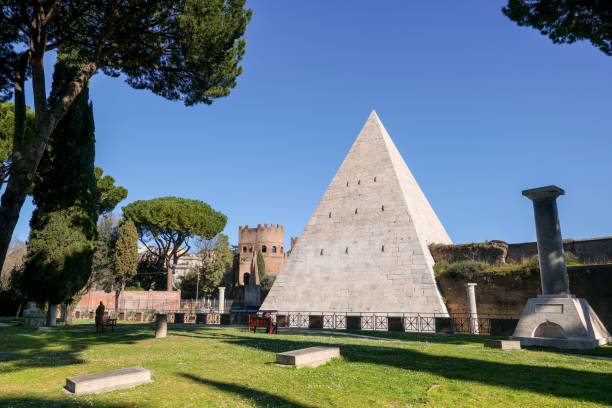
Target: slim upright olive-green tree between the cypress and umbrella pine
(126,253)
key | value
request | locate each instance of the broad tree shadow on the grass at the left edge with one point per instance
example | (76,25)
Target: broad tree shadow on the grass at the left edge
(39,349)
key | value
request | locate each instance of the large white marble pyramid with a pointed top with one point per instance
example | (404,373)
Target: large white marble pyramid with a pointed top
(365,248)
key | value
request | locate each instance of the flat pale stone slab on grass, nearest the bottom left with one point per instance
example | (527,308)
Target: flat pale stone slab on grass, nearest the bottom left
(107,381)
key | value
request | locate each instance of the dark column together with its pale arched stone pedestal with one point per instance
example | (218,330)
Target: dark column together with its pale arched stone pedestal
(556,318)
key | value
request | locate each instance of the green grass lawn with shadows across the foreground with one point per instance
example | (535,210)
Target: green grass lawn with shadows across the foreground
(228,367)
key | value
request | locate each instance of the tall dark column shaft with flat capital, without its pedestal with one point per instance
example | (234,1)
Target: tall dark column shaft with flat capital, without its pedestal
(553,272)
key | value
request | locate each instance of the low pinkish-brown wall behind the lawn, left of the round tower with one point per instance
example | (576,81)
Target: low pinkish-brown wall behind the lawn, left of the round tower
(133,300)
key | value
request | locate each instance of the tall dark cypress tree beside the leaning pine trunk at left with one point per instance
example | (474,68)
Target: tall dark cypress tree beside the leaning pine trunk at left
(63,225)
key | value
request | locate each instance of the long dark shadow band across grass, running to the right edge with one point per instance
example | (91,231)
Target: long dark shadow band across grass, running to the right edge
(553,381)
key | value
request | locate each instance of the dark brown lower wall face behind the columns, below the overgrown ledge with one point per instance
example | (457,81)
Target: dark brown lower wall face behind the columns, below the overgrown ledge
(508,294)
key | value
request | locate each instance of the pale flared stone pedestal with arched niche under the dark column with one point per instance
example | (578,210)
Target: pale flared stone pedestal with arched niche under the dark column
(562,322)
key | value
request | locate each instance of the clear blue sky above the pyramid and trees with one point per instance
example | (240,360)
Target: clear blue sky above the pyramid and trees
(479,108)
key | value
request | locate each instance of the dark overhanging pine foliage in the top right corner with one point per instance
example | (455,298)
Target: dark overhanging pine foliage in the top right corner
(566,21)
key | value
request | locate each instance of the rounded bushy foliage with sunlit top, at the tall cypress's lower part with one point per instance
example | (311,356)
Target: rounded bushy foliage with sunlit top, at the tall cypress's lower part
(59,256)
